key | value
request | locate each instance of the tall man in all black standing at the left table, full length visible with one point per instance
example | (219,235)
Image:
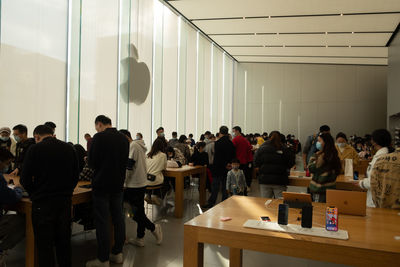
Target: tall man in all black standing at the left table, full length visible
(108,157)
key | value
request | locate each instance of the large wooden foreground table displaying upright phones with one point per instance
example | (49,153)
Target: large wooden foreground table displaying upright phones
(371,238)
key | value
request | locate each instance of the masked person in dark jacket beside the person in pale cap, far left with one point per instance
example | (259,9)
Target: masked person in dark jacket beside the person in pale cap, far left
(20,133)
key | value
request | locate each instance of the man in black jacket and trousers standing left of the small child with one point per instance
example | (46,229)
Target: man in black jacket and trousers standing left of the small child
(223,155)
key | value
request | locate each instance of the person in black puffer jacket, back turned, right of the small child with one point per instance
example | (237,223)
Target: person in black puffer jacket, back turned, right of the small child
(274,160)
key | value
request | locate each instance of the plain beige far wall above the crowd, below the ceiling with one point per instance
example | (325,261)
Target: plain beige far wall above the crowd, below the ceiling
(298,98)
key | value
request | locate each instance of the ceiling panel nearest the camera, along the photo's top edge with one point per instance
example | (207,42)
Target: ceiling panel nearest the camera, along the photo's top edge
(201,9)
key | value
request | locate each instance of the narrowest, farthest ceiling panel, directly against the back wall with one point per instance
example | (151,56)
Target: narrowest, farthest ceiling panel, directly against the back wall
(315,60)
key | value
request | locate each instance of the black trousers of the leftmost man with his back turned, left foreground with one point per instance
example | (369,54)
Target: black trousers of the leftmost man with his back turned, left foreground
(51,219)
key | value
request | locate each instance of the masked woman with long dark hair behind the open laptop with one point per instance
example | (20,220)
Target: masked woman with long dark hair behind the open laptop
(325,166)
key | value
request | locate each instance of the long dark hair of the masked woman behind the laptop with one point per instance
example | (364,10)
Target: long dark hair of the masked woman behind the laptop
(331,158)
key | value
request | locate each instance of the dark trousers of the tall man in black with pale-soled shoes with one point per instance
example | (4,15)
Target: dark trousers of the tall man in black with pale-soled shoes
(106,204)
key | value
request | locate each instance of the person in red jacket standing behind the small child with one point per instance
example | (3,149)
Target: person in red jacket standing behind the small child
(243,153)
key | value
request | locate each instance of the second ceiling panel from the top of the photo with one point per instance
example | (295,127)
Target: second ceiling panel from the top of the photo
(355,23)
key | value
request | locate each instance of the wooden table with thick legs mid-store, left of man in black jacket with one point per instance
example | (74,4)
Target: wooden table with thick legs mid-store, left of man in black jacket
(179,174)
